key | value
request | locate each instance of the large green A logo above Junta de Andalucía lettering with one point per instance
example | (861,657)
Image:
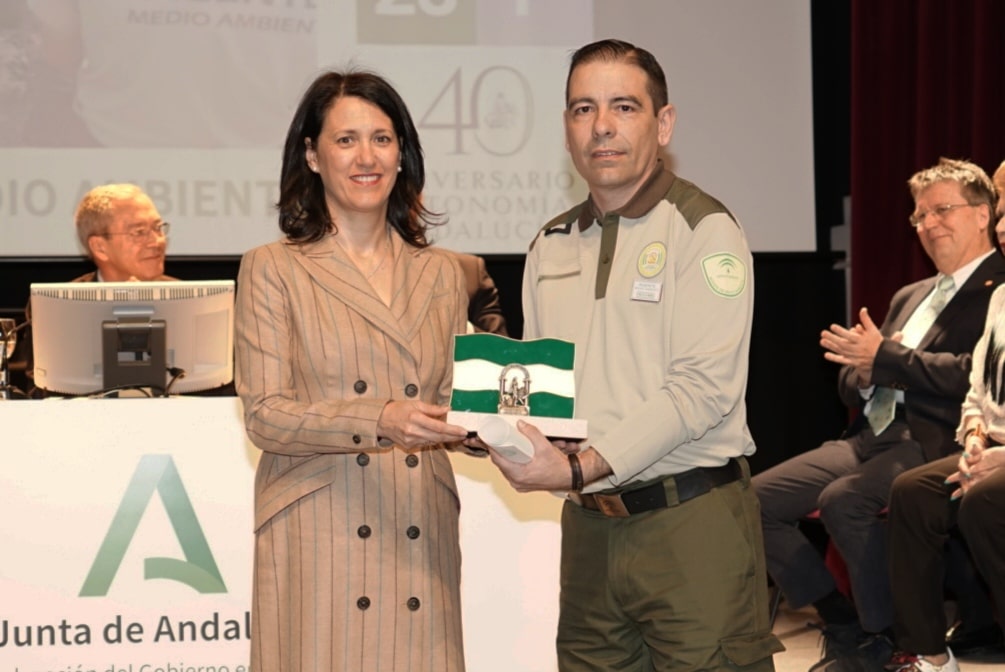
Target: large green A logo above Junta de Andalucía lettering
(198,570)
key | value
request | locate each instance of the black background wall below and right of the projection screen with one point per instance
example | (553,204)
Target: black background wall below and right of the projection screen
(792,403)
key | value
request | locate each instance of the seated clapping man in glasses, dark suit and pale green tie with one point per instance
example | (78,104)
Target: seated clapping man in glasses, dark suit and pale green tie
(909,377)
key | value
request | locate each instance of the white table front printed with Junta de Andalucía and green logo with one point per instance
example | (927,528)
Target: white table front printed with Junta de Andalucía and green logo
(127,543)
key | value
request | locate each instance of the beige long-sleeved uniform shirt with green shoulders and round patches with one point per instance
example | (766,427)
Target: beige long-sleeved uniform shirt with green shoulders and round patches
(659,300)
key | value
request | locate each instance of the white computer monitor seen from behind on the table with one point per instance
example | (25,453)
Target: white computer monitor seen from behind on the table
(94,337)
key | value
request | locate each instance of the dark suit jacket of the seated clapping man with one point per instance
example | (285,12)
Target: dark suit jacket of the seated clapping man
(935,376)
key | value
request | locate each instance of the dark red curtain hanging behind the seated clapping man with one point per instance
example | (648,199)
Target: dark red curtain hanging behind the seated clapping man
(928,81)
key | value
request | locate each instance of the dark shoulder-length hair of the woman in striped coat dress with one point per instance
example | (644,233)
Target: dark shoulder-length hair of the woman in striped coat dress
(304,214)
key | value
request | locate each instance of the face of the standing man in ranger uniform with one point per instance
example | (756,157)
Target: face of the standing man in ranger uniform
(613,133)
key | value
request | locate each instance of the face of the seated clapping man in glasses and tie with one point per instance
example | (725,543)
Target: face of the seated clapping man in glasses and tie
(957,237)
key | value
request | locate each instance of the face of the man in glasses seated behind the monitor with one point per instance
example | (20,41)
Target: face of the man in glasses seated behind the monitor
(131,251)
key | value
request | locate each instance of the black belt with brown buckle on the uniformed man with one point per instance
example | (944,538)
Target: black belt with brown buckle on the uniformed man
(688,486)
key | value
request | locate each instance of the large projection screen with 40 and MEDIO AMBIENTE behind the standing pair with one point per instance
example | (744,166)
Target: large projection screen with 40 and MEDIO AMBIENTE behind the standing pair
(191,100)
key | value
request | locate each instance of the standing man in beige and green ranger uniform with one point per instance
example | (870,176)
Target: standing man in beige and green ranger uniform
(663,566)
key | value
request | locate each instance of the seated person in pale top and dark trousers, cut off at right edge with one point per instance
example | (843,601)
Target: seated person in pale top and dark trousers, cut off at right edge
(959,494)
